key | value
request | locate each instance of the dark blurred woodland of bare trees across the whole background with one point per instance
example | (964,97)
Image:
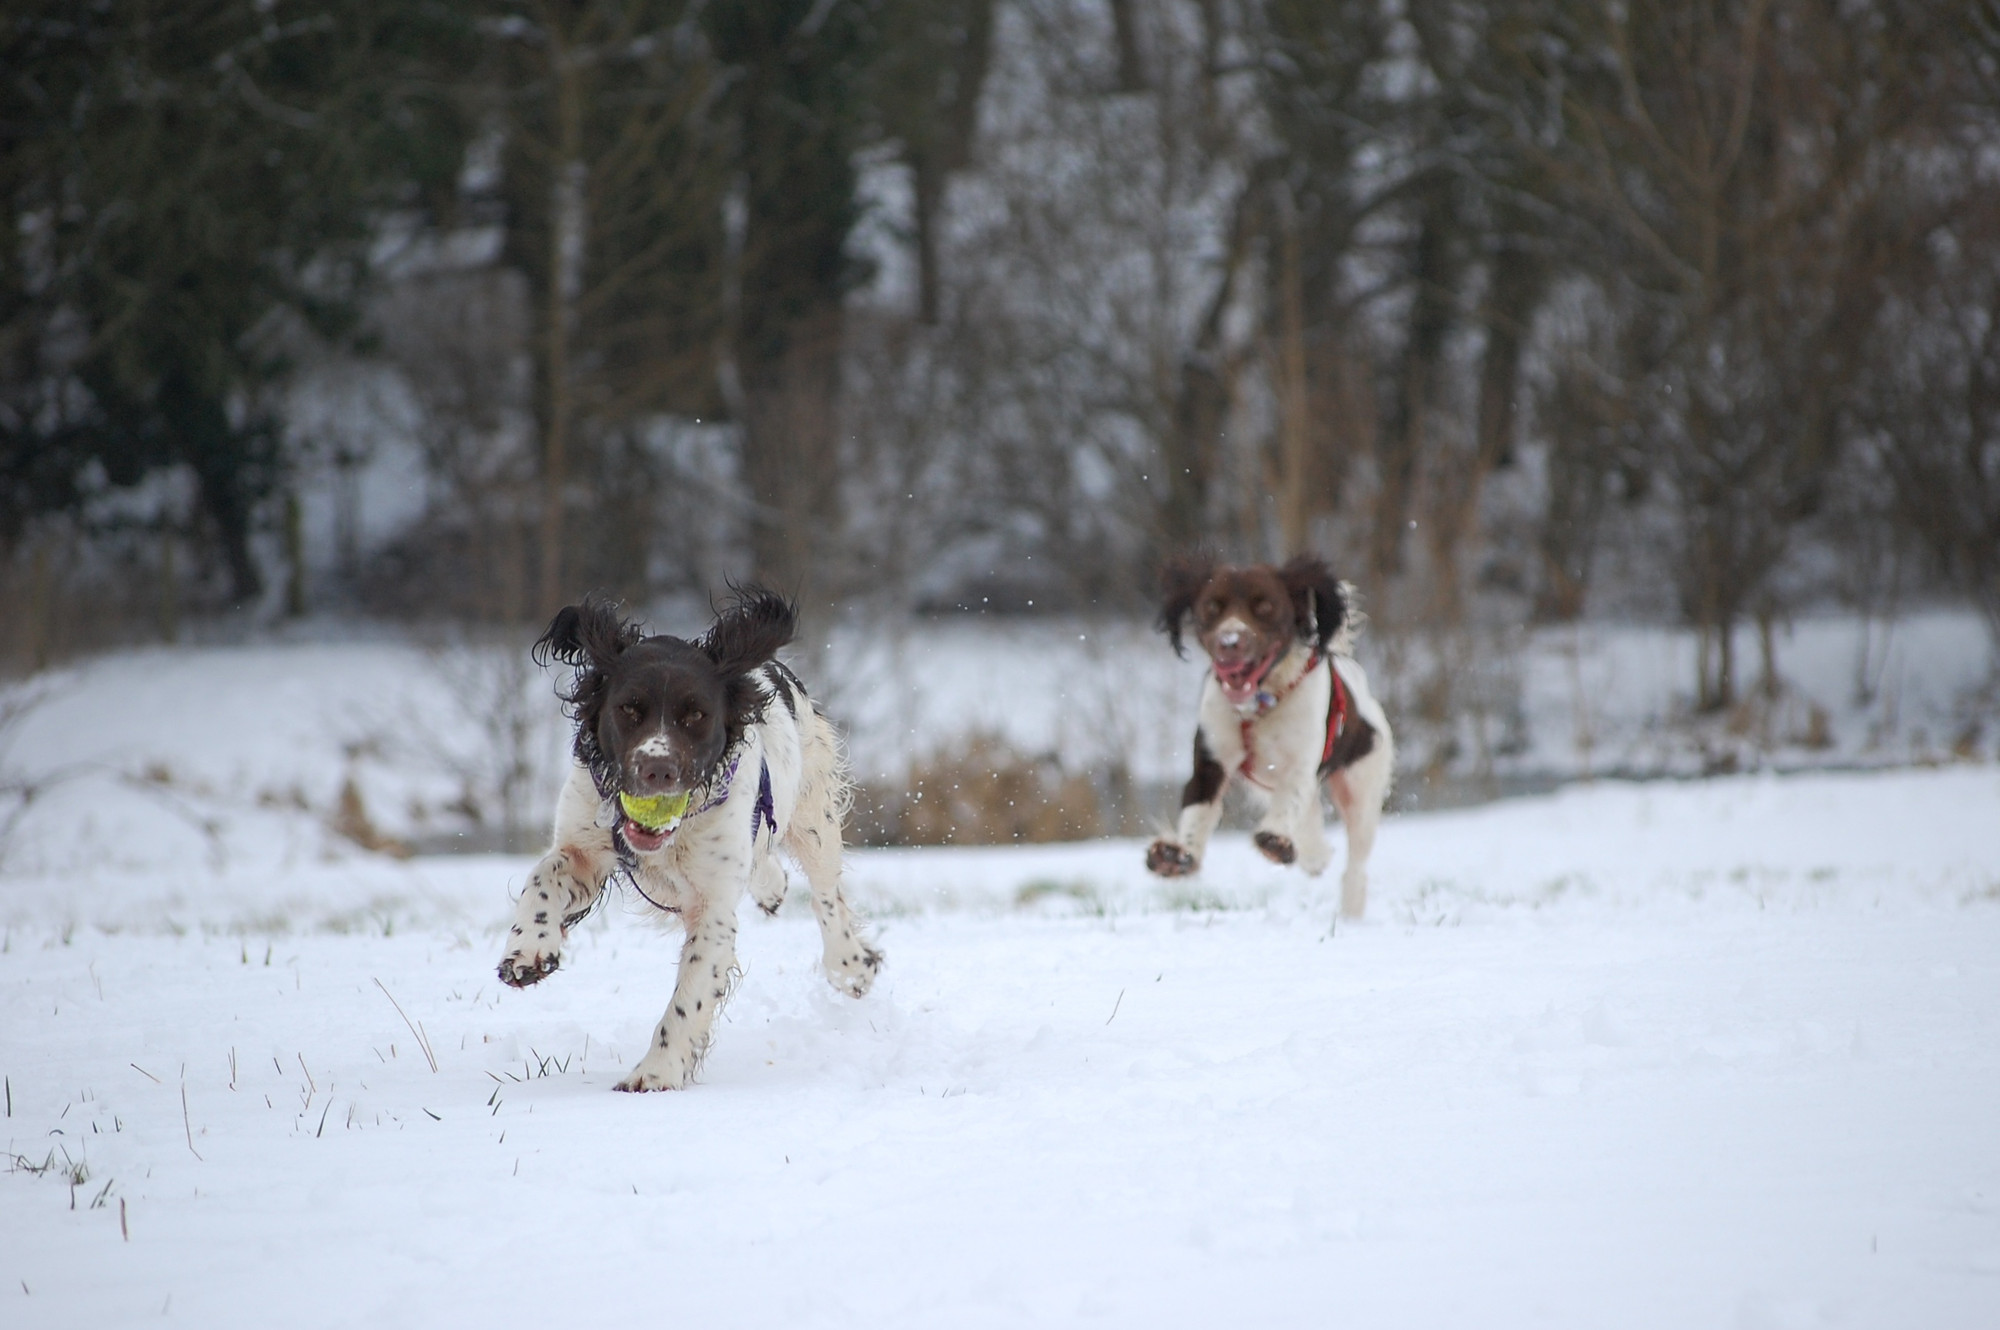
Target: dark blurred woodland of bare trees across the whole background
(1517,311)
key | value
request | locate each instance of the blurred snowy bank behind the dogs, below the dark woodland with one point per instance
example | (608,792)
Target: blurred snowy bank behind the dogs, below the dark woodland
(253,759)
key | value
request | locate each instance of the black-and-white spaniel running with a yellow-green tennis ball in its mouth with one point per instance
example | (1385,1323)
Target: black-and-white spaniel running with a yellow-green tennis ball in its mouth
(695,765)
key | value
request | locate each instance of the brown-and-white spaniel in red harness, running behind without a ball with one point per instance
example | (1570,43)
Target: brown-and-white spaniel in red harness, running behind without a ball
(1285,707)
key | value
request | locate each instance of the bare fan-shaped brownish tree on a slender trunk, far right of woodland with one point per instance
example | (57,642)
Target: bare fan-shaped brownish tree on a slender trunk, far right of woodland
(1735,161)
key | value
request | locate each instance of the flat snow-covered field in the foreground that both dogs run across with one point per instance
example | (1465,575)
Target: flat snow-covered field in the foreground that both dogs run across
(1633,1055)
